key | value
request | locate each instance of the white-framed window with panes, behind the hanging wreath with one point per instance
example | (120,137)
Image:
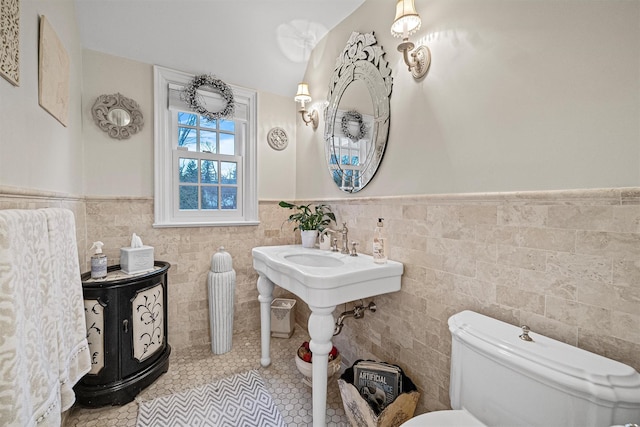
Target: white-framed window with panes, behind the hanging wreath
(205,170)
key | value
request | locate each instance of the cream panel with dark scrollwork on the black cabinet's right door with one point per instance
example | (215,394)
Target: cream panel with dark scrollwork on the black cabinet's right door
(148,322)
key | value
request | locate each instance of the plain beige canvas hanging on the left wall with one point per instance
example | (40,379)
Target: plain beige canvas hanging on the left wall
(53,74)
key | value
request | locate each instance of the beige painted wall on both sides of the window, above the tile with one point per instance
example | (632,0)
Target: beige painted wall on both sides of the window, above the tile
(129,163)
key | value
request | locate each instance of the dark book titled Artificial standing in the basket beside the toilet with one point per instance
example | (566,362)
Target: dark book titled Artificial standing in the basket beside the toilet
(378,383)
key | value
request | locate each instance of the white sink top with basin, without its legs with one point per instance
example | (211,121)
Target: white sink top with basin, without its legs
(323,278)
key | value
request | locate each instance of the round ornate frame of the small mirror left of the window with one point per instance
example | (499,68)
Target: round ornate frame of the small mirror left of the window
(105,104)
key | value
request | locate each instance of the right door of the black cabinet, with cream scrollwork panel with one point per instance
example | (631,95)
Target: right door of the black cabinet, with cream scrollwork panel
(143,328)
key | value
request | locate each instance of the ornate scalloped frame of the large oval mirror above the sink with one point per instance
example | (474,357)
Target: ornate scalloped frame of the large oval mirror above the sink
(362,59)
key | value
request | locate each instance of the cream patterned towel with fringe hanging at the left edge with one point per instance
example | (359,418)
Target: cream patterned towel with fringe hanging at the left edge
(43,346)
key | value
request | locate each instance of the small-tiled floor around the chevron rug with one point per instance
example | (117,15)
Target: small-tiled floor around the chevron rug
(197,366)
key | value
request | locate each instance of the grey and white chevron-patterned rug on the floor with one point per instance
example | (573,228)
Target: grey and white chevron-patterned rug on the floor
(240,400)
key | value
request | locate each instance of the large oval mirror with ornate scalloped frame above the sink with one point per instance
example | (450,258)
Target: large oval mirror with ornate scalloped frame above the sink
(358,114)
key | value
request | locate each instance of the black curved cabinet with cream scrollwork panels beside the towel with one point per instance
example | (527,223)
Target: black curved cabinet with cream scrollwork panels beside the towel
(126,318)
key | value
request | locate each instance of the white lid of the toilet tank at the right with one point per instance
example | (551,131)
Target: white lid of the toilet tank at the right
(556,362)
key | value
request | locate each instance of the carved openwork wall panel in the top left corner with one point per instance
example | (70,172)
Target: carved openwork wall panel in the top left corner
(10,40)
